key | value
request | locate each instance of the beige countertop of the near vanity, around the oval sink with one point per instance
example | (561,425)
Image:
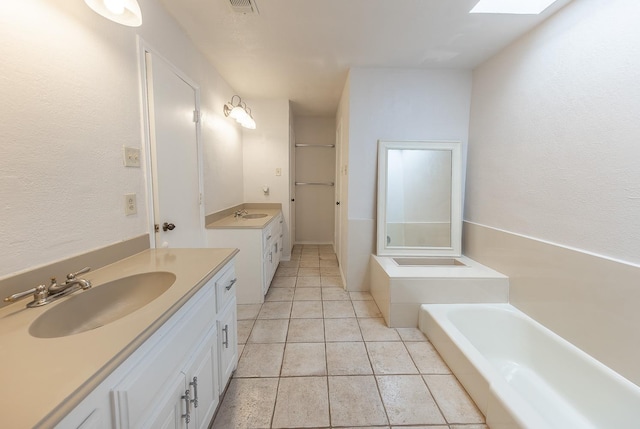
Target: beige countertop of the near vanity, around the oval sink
(42,379)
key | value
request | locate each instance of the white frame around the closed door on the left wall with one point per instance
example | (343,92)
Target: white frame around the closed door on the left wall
(145,48)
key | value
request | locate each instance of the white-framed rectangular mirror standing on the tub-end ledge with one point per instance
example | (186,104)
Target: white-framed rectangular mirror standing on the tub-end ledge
(419,198)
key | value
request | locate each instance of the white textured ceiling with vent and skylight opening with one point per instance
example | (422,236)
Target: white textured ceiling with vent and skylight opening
(302,49)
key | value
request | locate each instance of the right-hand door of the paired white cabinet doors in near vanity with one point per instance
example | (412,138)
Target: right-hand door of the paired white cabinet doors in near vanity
(202,378)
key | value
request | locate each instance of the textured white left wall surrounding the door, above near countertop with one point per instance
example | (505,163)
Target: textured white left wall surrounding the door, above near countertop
(70,90)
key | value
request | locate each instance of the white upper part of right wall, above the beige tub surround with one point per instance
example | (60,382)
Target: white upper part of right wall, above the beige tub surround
(554,150)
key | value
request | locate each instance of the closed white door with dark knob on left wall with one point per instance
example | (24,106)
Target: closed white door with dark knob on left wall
(178,213)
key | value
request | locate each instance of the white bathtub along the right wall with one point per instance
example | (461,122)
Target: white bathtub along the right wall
(522,375)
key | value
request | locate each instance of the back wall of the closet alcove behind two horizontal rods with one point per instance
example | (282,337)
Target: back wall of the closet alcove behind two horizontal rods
(315,204)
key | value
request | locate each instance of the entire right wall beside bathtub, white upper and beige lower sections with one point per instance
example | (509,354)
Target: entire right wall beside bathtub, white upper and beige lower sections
(553,176)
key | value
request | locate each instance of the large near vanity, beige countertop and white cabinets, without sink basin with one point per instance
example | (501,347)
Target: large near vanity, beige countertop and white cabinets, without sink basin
(163,365)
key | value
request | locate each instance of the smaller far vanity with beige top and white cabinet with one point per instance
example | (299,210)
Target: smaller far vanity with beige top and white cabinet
(260,242)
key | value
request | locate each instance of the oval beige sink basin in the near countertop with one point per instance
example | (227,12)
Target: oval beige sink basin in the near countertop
(100,305)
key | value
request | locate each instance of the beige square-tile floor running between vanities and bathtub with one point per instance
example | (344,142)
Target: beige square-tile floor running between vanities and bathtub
(314,355)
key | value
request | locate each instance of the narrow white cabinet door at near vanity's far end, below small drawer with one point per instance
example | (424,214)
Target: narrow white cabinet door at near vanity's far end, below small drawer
(227,342)
